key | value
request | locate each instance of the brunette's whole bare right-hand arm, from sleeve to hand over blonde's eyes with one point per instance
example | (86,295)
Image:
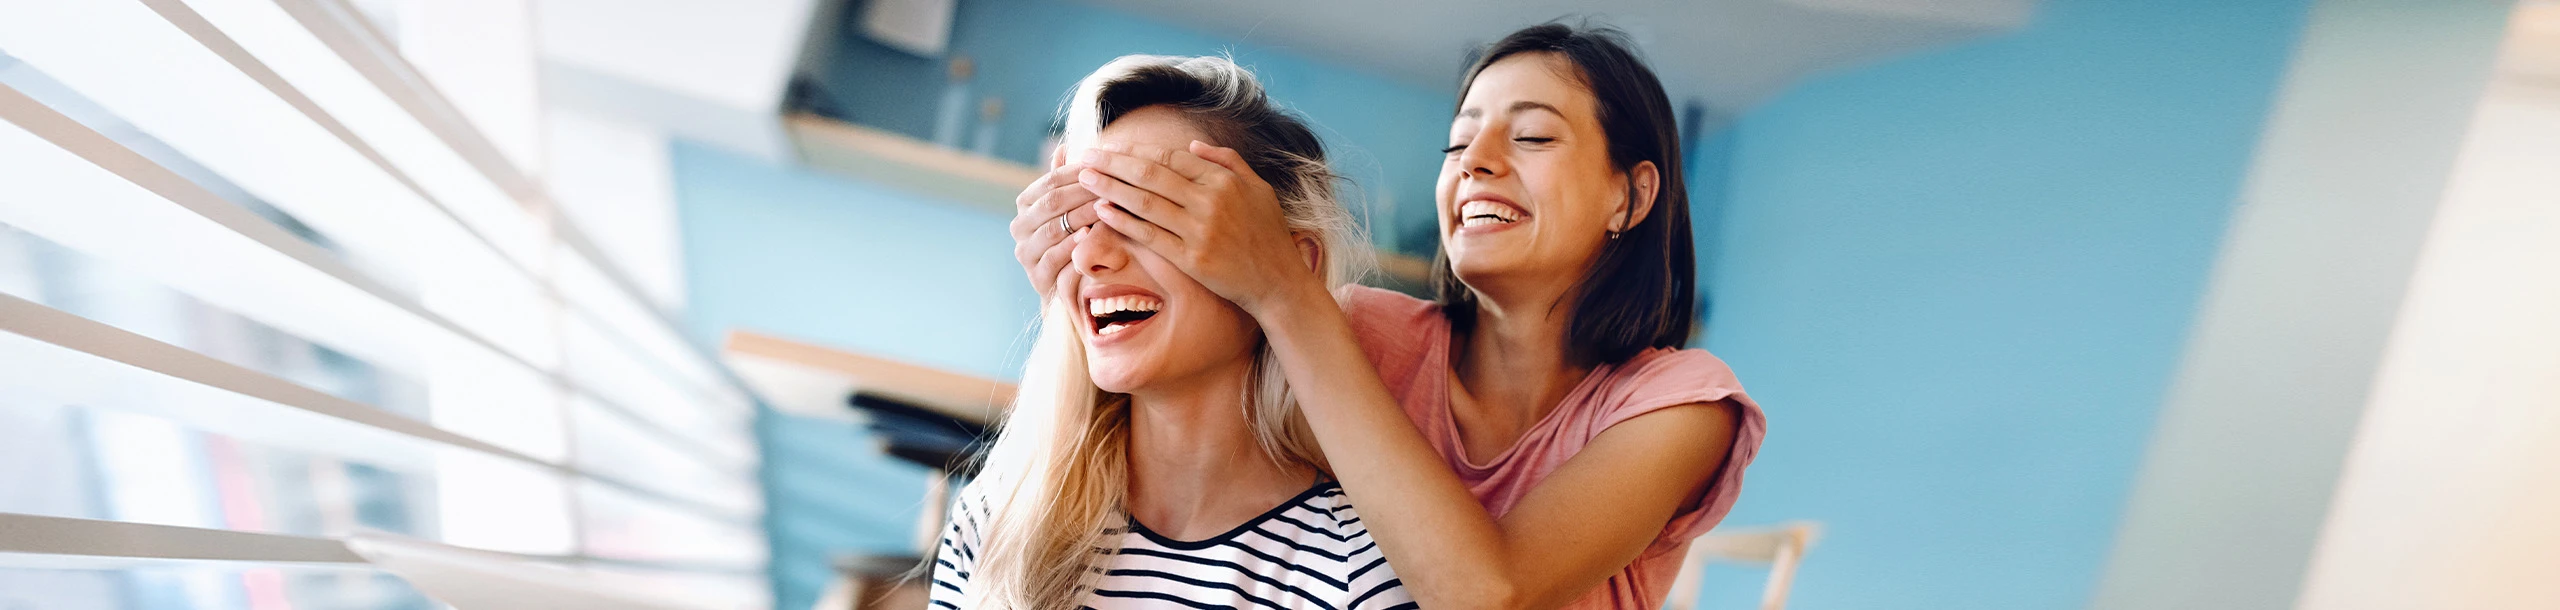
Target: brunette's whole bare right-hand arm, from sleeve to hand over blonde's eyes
(1573,532)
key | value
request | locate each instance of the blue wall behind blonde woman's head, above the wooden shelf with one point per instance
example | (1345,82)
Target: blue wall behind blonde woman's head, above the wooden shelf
(1030,53)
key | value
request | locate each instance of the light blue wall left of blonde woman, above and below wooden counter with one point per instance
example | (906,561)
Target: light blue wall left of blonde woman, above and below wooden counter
(859,268)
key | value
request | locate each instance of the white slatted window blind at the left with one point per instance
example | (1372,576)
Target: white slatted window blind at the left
(265,283)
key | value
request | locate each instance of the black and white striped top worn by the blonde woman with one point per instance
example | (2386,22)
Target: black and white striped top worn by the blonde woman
(1304,555)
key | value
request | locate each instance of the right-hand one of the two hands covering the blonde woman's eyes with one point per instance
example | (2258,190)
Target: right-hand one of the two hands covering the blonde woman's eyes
(1207,214)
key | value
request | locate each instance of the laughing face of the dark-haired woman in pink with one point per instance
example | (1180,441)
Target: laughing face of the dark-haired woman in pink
(1527,194)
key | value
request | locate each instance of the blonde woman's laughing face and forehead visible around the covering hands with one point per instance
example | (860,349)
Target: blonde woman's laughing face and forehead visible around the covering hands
(1146,322)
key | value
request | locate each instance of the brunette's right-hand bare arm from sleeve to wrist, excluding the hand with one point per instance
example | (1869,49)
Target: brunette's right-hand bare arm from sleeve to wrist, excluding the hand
(1573,532)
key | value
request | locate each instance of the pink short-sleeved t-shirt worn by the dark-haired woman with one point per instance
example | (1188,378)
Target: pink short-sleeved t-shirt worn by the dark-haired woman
(1409,342)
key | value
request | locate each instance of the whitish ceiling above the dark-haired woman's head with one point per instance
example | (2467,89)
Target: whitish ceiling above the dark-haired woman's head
(1724,53)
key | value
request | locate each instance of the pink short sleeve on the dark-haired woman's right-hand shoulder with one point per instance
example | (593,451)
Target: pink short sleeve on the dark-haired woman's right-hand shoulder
(1670,378)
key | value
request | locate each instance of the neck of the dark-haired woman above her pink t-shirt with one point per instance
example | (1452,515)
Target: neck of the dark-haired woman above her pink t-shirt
(1514,368)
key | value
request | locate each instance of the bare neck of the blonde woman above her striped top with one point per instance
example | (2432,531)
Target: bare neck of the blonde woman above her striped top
(1194,463)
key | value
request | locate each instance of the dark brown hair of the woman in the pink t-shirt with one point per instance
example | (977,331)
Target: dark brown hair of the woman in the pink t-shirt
(1642,291)
